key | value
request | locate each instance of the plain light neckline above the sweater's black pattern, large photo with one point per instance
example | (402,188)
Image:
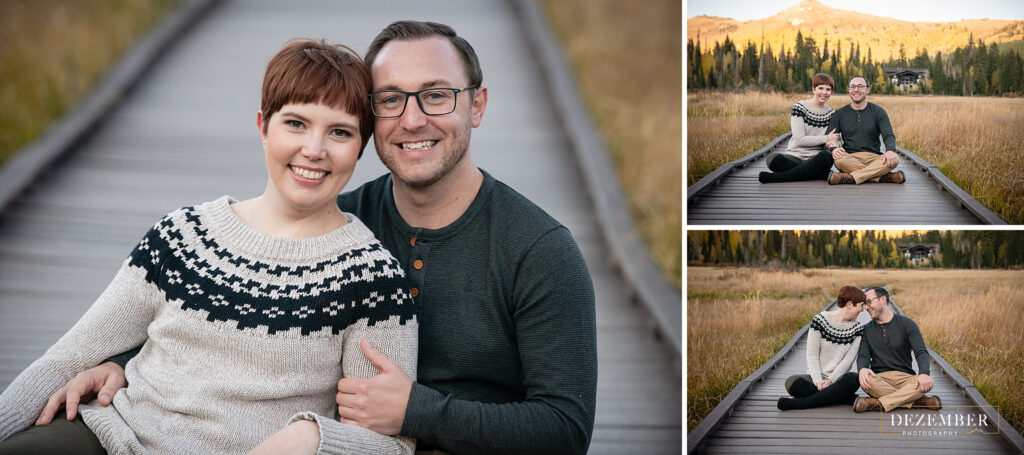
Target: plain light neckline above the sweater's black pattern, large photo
(235,234)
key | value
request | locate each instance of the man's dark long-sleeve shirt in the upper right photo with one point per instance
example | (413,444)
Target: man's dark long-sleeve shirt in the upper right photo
(861,130)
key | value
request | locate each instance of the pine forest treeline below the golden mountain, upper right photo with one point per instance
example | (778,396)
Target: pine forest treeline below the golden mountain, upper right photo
(975,70)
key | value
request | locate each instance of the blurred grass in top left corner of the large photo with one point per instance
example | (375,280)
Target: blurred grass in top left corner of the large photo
(55,52)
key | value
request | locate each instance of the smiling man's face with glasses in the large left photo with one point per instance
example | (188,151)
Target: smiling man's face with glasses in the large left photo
(421,150)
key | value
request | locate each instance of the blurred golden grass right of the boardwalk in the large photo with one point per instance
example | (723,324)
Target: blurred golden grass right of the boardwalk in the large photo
(628,62)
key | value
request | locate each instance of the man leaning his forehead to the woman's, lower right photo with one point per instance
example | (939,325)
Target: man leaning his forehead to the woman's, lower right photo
(884,361)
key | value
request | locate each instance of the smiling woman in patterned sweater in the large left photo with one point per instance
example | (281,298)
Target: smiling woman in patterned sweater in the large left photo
(248,312)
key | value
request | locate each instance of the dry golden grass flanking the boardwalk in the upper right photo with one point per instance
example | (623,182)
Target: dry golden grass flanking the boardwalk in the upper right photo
(970,140)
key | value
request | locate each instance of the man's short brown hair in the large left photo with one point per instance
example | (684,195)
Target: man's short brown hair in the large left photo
(415,30)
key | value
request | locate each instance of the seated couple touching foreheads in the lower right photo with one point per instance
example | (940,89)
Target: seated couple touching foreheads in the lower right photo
(883,349)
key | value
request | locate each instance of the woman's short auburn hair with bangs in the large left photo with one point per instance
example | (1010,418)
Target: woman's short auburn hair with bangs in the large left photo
(307,71)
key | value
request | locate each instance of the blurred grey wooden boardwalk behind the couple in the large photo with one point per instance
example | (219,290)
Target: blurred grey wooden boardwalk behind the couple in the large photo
(188,135)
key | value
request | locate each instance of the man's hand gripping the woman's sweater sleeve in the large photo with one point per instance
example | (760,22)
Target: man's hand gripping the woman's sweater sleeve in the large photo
(378,403)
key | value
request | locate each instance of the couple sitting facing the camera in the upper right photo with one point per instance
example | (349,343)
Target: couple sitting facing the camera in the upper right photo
(851,142)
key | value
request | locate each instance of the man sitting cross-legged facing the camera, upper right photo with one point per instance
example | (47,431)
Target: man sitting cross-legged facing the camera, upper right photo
(858,154)
